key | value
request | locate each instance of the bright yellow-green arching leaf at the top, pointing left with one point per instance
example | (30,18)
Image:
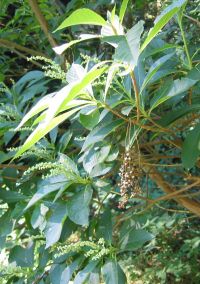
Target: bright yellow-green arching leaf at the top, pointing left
(82,17)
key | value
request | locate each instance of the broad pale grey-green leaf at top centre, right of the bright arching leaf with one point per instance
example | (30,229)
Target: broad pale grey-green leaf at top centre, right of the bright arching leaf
(128,47)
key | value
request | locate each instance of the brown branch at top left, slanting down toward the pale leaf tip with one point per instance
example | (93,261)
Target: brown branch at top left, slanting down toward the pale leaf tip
(42,21)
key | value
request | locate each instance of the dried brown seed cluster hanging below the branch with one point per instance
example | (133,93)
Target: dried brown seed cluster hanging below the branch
(129,183)
